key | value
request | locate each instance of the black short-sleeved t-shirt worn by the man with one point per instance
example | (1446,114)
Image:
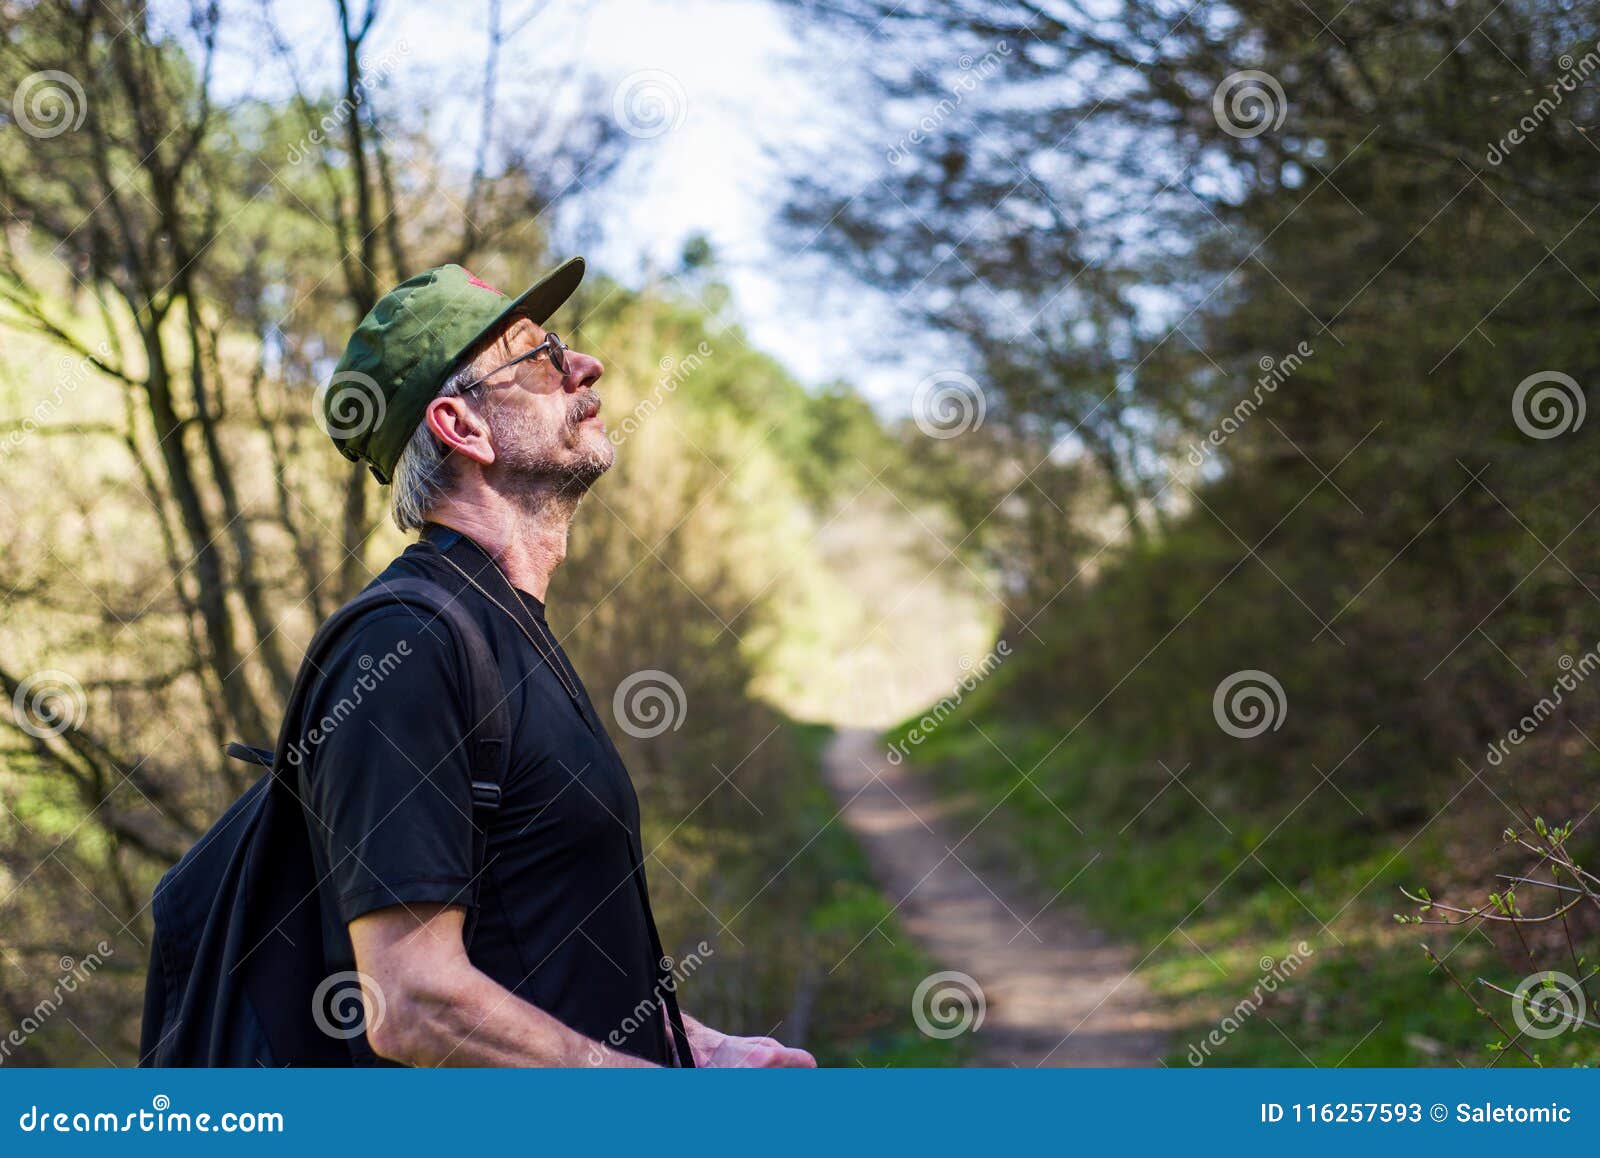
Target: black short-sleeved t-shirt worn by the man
(562,914)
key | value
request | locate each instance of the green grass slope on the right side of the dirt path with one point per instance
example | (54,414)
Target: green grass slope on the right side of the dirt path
(1278,938)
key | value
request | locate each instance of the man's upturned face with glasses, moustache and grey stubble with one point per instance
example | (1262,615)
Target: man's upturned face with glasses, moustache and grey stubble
(545,425)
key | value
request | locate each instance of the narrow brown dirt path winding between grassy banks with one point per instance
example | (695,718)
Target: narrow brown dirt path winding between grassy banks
(1055,992)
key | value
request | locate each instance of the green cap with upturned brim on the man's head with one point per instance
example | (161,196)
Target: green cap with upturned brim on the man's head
(409,345)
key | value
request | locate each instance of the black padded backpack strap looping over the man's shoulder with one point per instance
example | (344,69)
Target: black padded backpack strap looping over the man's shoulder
(489,735)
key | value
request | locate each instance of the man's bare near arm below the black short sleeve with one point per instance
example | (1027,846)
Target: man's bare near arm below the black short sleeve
(436,1008)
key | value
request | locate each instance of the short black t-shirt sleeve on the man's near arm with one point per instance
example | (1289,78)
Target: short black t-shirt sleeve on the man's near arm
(386,777)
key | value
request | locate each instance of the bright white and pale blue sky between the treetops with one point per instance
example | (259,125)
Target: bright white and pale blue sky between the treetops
(711,90)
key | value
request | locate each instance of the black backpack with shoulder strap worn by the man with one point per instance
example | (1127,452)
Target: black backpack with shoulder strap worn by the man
(238,973)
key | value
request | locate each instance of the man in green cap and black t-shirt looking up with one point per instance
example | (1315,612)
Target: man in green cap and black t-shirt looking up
(489,431)
